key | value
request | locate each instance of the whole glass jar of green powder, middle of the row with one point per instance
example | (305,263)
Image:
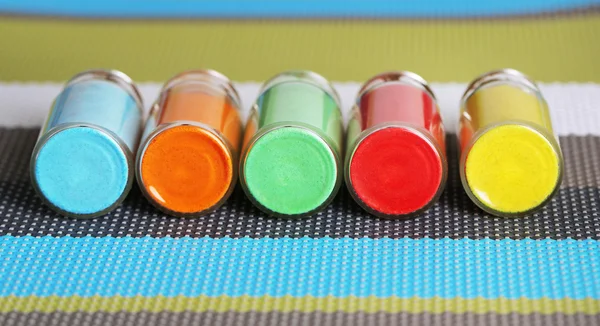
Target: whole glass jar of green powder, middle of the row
(290,165)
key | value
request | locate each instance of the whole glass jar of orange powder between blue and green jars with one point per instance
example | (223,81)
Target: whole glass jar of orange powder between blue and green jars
(186,165)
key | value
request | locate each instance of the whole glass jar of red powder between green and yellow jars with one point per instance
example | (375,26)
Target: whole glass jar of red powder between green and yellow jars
(396,159)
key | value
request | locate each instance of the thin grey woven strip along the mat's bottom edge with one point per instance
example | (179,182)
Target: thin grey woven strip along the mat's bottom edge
(295,319)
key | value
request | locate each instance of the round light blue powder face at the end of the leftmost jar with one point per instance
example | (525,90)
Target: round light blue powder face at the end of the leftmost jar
(81,170)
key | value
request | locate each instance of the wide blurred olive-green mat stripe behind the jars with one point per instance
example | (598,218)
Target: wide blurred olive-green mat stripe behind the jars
(563,48)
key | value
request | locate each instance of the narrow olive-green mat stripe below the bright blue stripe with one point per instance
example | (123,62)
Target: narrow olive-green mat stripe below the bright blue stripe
(301,304)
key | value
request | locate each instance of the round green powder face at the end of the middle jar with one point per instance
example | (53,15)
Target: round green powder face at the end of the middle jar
(291,171)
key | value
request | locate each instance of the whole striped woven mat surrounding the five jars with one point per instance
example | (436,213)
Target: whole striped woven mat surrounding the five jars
(453,265)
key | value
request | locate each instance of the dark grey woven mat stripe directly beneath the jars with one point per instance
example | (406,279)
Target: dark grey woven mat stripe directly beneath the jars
(573,213)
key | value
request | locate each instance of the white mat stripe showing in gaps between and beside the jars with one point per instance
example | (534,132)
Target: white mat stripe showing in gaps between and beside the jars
(575,108)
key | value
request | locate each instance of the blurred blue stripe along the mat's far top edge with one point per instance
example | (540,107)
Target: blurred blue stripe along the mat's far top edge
(289,8)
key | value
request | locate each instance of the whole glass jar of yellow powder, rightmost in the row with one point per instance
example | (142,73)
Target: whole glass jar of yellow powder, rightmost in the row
(511,162)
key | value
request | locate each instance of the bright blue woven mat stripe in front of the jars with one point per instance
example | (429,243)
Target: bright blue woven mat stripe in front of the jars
(299,267)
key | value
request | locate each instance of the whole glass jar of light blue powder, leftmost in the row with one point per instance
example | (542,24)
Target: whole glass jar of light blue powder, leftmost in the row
(83,163)
